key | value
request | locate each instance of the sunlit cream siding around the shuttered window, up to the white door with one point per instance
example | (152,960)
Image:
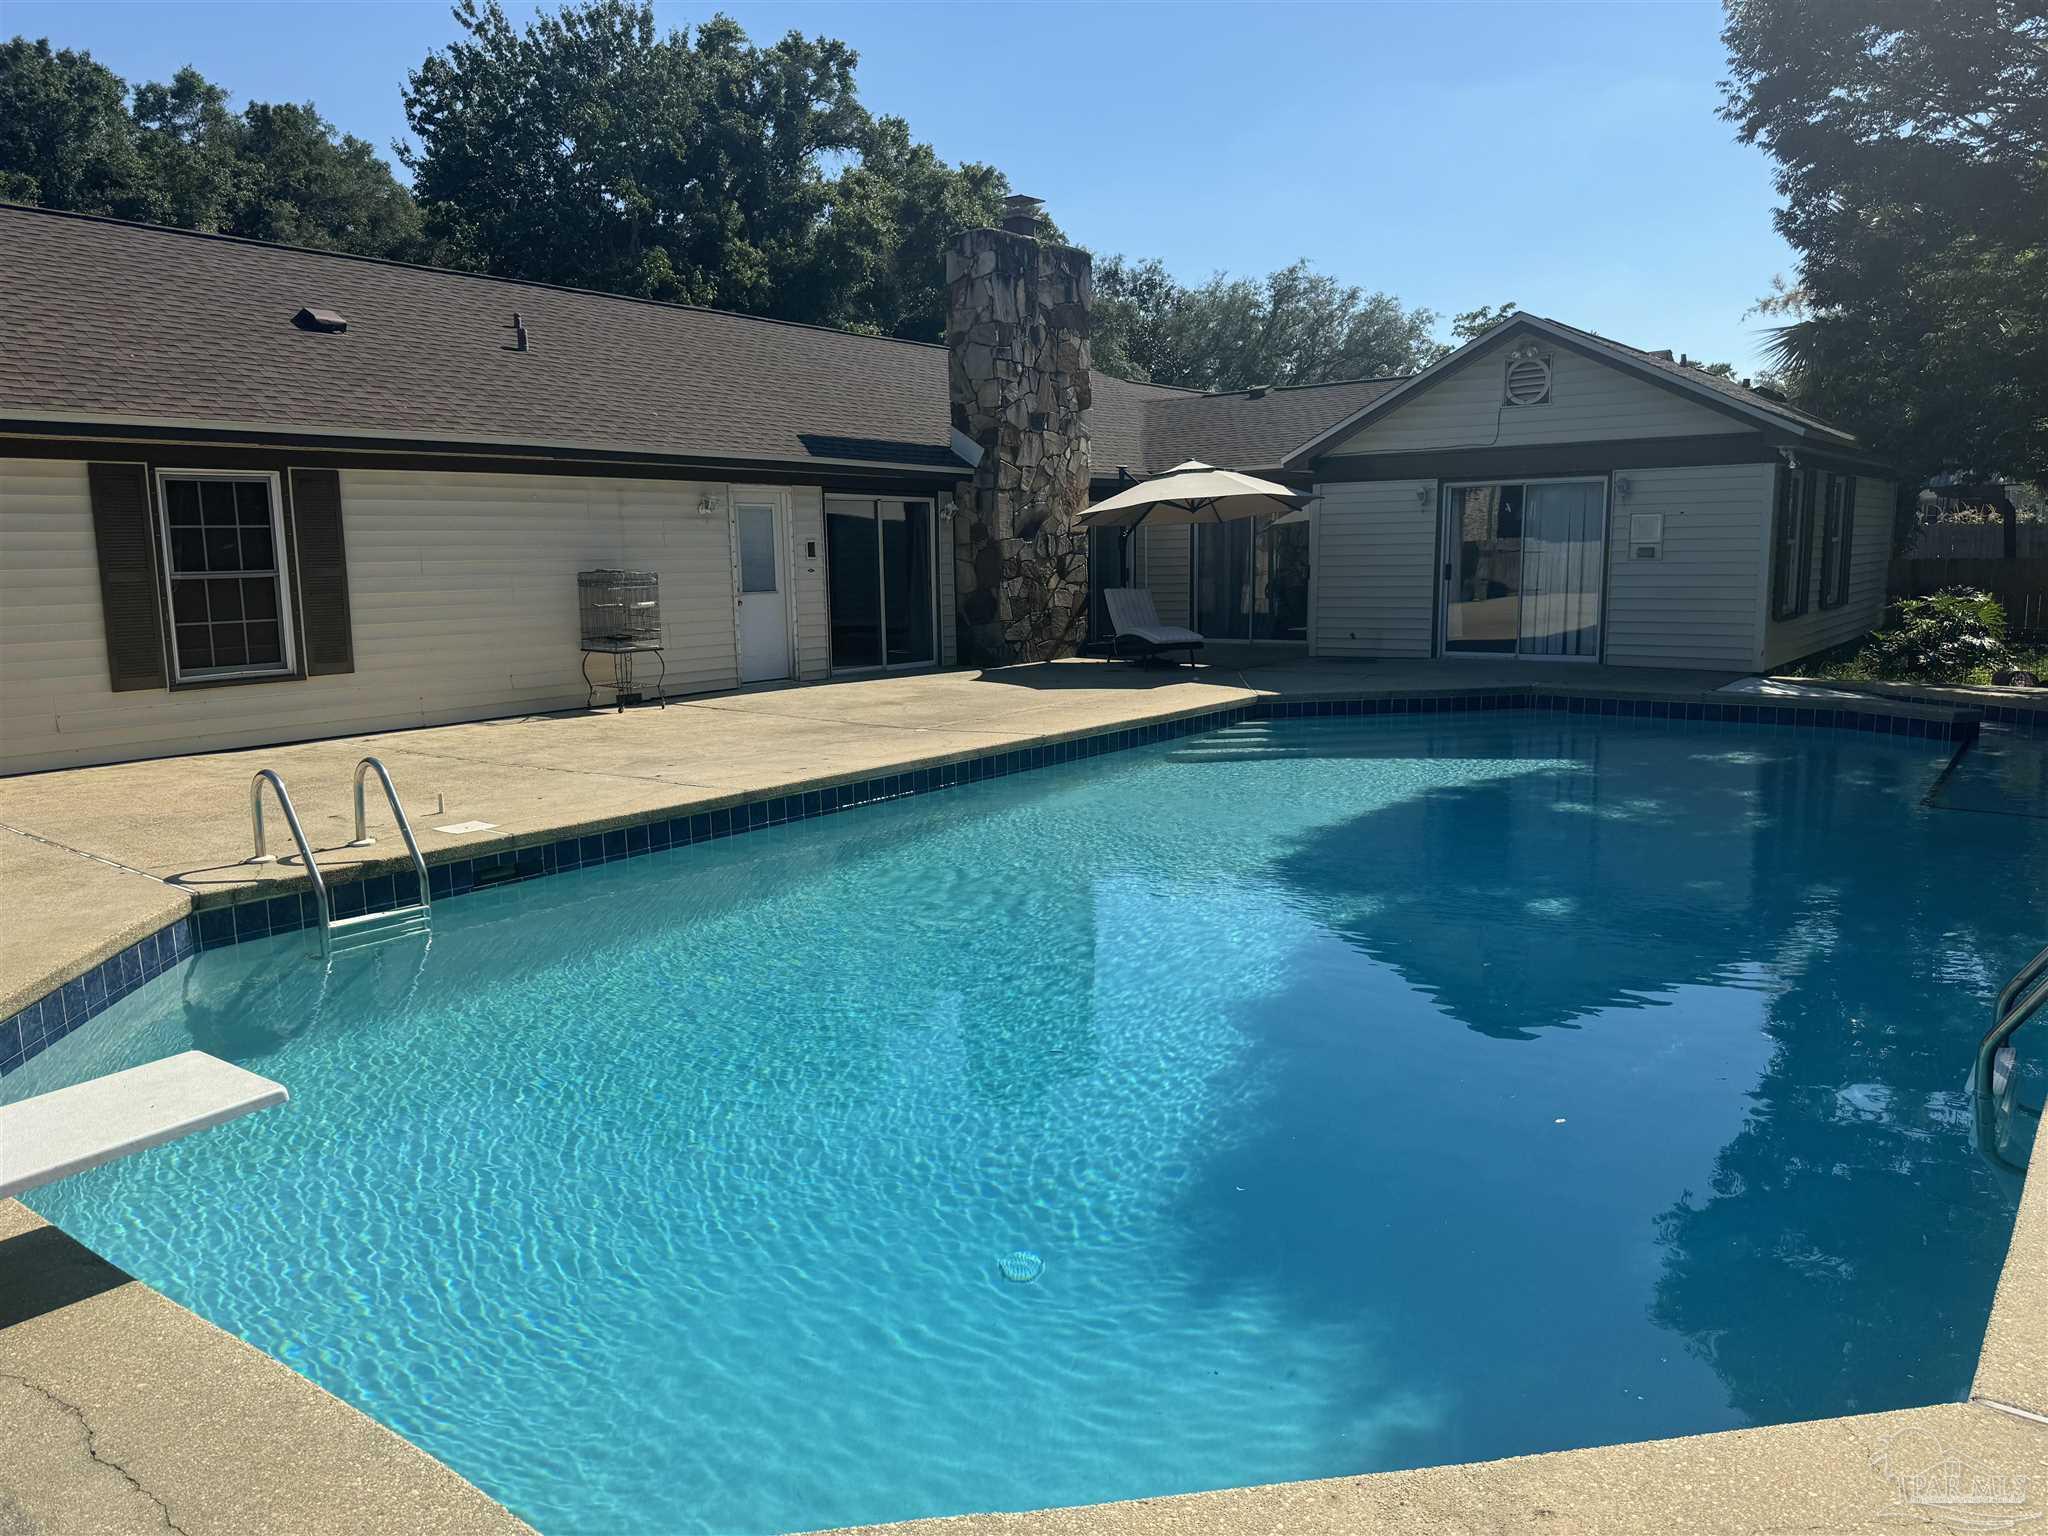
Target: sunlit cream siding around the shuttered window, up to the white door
(462,593)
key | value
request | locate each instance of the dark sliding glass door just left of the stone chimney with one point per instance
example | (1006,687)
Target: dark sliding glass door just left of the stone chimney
(882,583)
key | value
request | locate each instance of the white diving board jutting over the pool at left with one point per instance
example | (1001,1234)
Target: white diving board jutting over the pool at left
(54,1136)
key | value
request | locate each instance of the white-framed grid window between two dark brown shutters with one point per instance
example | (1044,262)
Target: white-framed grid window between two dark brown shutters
(224,554)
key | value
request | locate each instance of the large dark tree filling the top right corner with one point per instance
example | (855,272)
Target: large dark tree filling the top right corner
(1912,146)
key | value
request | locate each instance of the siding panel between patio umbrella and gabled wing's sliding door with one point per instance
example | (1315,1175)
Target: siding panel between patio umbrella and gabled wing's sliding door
(1375,568)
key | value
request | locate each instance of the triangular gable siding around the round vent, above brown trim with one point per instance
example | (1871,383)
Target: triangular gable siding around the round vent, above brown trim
(1588,402)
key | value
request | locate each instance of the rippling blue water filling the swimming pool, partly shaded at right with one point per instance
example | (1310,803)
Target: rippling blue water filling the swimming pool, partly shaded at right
(1373,1095)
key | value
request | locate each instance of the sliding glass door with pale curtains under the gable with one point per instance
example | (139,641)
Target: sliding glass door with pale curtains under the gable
(1525,564)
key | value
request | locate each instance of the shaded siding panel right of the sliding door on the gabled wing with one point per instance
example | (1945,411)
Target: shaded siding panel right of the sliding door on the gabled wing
(1701,601)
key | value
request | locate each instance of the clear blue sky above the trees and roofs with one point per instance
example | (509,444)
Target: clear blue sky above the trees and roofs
(1566,157)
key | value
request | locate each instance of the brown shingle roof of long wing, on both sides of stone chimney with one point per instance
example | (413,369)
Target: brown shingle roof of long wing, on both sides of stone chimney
(126,323)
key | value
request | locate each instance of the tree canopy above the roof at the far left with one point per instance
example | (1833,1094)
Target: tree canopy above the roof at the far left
(73,138)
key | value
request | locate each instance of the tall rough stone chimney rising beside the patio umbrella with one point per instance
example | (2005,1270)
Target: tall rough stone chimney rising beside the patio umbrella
(1017,339)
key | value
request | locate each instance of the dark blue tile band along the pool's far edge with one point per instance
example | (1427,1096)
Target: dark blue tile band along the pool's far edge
(69,1007)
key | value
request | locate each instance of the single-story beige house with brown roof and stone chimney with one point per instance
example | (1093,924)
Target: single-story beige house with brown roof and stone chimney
(255,495)
